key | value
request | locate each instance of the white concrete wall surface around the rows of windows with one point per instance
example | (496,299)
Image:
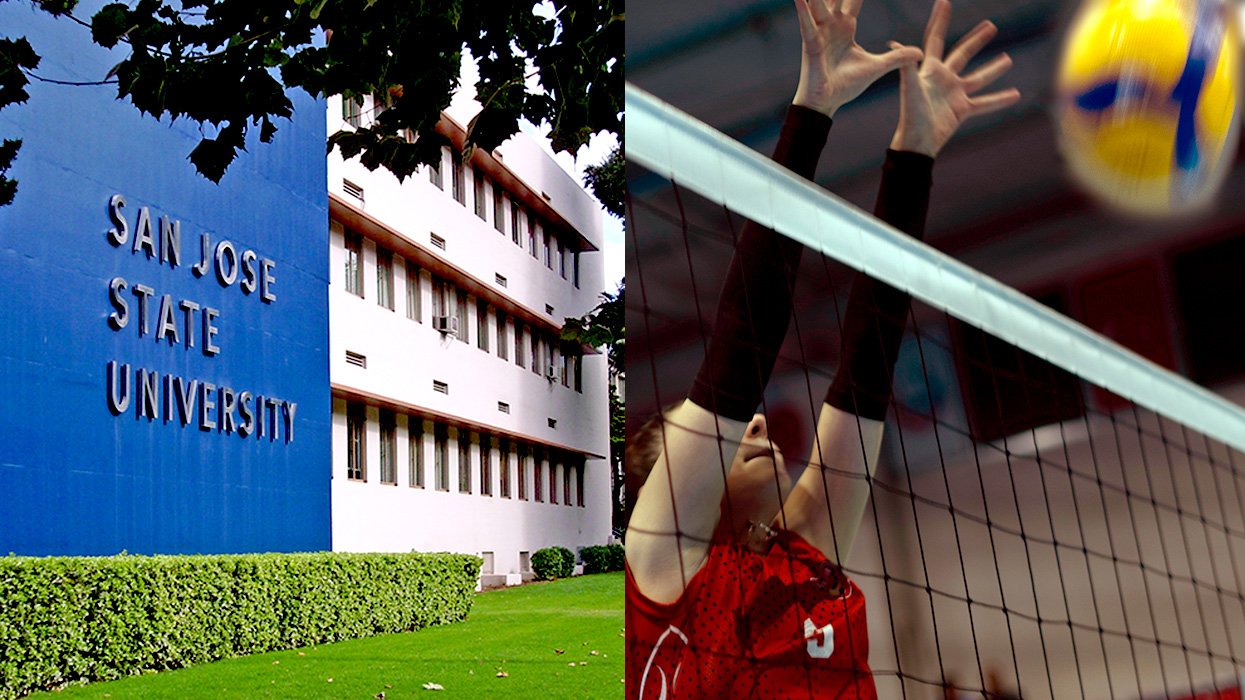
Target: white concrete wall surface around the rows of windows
(405,358)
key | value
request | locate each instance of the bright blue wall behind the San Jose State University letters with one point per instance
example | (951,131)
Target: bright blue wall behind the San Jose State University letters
(75,479)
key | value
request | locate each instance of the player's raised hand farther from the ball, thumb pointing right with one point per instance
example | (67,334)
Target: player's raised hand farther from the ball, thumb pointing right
(834,68)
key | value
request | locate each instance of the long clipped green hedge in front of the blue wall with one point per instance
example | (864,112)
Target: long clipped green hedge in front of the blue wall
(65,620)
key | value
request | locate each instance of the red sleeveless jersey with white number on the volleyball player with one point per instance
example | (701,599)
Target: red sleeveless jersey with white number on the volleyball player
(749,626)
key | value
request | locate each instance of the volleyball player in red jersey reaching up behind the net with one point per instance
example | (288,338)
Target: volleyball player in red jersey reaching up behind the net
(734,580)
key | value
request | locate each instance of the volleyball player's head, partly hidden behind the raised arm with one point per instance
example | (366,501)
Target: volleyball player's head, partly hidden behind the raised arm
(755,490)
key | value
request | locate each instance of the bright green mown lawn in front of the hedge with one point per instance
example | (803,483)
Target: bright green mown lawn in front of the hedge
(561,640)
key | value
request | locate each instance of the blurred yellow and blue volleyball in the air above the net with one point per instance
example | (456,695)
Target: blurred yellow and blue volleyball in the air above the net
(1147,100)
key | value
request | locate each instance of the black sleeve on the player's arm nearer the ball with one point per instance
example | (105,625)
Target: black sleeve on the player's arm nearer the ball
(876,316)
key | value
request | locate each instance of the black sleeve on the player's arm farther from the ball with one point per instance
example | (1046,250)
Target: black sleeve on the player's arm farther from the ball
(754,310)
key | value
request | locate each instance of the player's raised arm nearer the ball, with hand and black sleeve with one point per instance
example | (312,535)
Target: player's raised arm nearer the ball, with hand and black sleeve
(827,503)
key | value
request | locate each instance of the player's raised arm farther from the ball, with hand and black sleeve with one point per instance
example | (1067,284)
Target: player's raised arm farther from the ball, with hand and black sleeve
(679,508)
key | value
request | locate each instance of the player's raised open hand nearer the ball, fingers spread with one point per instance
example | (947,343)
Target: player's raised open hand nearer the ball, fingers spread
(934,99)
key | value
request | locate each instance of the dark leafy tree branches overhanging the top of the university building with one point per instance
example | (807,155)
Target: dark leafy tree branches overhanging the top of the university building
(227,64)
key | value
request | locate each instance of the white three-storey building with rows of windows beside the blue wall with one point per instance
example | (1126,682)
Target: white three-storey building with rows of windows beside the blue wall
(460,423)
